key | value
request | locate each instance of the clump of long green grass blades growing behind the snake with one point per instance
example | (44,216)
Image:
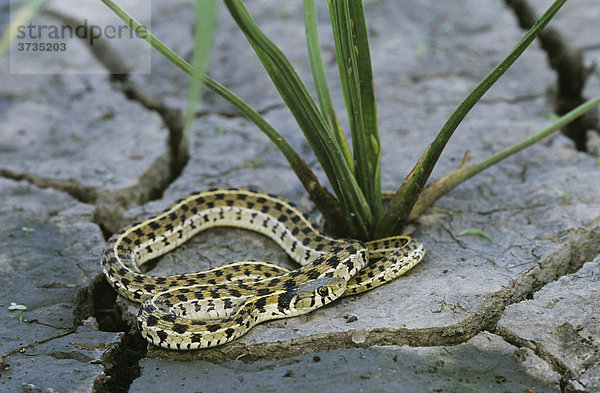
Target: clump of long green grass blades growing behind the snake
(354,207)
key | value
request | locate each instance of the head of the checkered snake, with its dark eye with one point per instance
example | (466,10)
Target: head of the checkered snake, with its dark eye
(318,293)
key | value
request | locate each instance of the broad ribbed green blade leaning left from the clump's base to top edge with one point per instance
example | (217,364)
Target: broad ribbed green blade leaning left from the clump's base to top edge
(310,120)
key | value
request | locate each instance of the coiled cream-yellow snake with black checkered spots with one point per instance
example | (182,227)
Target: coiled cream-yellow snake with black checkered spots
(212,307)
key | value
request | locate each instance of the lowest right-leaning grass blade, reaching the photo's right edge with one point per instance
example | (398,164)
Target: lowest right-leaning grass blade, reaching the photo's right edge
(442,186)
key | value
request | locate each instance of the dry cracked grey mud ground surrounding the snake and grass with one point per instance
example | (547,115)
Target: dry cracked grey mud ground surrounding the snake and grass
(83,155)
